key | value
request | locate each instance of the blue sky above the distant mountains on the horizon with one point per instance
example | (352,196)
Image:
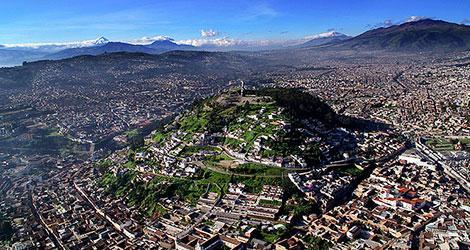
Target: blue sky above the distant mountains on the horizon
(31,21)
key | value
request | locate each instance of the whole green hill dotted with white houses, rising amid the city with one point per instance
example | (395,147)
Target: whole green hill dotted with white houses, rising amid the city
(254,140)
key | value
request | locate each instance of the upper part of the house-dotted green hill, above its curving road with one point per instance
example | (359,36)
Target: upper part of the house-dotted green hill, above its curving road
(268,126)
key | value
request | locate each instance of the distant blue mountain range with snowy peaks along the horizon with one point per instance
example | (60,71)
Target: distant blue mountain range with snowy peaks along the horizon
(417,36)
